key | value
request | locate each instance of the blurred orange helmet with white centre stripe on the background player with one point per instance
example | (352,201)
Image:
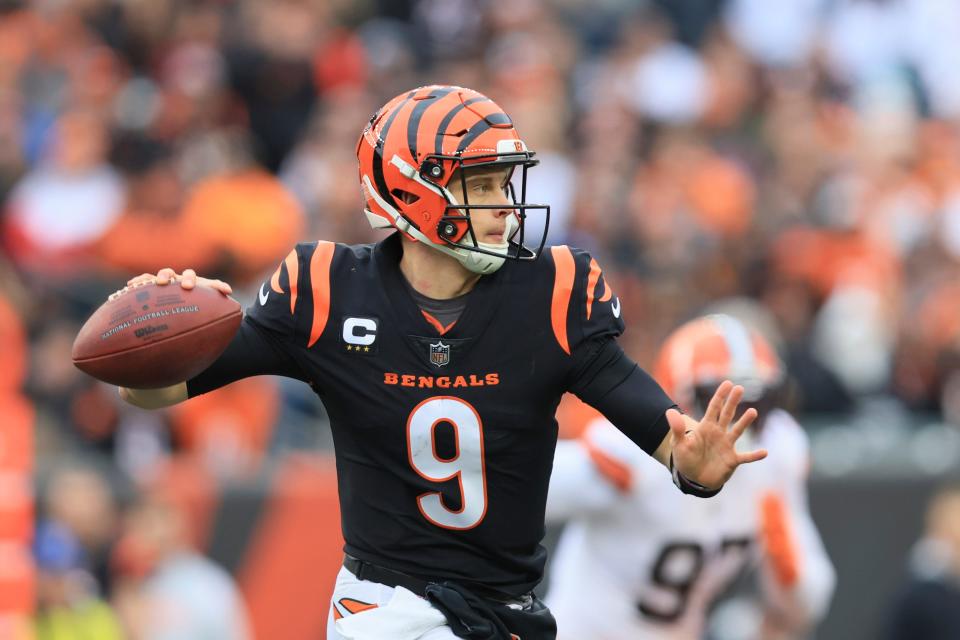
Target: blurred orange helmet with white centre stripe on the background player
(705,351)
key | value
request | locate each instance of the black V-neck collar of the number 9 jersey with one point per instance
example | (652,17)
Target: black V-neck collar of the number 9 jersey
(482,301)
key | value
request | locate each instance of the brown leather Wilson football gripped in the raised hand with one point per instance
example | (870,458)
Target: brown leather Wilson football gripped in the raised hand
(152,336)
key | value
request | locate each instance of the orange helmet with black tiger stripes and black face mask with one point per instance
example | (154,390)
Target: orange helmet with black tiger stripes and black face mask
(408,154)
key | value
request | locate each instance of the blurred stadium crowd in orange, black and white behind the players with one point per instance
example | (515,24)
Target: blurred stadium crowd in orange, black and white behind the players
(801,165)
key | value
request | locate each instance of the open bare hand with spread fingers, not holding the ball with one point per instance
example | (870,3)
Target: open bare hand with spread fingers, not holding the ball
(705,451)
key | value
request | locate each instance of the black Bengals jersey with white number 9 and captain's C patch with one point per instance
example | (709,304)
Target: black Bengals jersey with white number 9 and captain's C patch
(444,436)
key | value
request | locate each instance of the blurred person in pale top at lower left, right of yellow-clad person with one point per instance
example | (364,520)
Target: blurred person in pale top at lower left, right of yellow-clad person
(165,589)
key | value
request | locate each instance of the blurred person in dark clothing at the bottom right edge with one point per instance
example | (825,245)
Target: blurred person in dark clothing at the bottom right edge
(928,606)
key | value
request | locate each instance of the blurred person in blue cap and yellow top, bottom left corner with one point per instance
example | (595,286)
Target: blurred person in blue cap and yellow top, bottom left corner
(68,604)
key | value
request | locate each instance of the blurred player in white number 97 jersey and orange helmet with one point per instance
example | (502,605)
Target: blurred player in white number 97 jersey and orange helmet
(639,559)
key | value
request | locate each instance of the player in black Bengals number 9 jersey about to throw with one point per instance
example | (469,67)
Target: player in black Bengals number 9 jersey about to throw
(441,354)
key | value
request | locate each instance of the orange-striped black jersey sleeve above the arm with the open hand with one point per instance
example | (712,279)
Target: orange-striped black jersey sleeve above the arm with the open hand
(584,308)
